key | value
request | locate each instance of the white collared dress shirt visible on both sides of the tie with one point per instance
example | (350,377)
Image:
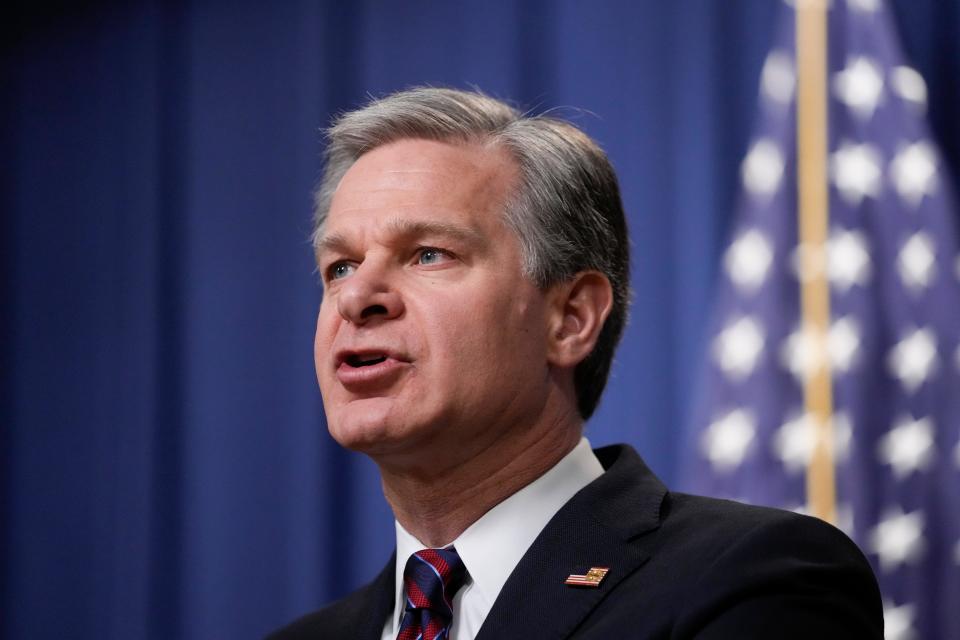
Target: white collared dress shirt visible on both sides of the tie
(492,546)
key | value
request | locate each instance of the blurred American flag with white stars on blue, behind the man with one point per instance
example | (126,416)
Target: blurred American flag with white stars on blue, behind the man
(893,346)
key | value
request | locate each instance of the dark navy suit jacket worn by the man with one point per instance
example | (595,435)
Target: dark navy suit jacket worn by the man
(681,566)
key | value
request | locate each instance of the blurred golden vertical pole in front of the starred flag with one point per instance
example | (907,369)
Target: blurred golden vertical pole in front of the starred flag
(813,205)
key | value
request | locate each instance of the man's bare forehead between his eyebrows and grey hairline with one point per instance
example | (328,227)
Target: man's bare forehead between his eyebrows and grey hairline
(430,178)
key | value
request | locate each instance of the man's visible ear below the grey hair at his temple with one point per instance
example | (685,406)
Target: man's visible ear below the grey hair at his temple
(578,309)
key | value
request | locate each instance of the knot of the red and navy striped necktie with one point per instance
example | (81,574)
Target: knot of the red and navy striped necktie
(432,577)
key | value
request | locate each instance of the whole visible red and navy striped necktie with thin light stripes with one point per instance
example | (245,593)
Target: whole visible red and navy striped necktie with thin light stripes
(430,579)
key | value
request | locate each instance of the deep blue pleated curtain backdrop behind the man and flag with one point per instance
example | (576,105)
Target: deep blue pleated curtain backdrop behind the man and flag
(164,466)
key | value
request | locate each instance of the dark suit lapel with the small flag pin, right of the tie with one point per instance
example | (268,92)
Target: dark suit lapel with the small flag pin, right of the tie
(596,528)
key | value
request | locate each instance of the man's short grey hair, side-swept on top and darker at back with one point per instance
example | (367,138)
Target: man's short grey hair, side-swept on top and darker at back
(566,212)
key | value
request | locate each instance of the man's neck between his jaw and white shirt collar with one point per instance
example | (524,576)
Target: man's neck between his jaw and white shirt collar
(436,508)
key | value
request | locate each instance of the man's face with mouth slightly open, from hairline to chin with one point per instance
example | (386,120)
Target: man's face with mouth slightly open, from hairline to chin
(428,337)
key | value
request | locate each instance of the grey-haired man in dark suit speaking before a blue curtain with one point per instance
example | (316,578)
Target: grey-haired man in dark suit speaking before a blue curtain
(475,269)
